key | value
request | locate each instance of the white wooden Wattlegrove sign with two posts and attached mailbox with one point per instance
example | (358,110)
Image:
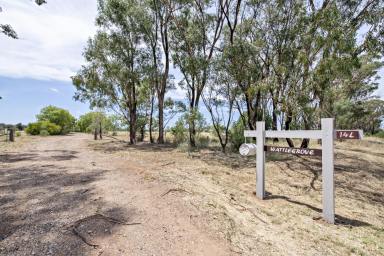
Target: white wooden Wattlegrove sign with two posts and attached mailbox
(327,134)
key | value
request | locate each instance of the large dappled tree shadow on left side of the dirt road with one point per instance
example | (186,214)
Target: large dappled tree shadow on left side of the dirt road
(40,203)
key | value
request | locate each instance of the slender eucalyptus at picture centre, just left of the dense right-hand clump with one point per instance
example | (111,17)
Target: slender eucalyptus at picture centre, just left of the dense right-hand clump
(195,32)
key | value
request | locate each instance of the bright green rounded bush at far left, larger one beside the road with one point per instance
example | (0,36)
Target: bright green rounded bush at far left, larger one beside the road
(58,116)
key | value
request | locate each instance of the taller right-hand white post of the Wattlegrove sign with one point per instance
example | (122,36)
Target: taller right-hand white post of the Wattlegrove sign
(328,133)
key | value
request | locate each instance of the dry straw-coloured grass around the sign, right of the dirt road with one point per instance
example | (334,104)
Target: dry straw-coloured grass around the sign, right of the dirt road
(288,222)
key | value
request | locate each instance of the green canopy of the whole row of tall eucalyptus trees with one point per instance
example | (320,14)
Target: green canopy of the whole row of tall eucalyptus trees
(288,63)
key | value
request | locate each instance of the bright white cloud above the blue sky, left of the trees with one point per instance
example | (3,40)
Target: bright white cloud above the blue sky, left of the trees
(52,38)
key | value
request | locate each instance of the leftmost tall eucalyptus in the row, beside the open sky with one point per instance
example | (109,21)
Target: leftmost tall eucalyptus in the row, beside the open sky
(115,61)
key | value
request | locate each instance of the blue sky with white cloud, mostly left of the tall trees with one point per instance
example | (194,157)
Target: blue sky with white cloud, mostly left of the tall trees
(35,70)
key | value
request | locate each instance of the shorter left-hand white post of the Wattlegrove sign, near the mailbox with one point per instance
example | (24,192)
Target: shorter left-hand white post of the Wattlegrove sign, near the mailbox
(260,160)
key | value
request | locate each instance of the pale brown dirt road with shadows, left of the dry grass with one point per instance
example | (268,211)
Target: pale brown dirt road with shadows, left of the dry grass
(58,196)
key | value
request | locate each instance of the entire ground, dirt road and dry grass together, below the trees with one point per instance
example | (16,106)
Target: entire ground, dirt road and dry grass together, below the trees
(59,193)
